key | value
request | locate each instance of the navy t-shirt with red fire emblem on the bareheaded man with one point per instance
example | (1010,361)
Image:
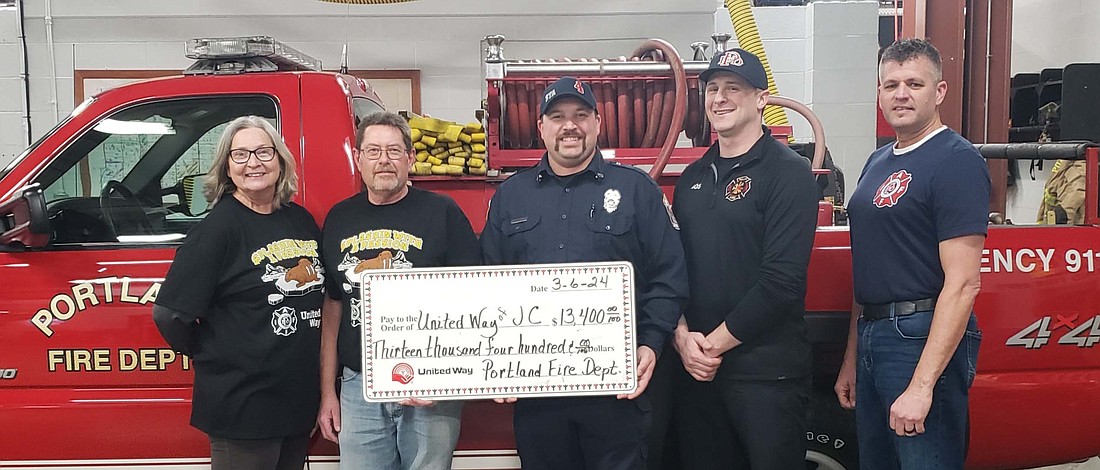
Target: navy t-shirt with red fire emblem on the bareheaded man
(908,201)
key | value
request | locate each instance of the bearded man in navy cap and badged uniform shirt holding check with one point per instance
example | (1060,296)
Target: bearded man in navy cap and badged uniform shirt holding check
(576,207)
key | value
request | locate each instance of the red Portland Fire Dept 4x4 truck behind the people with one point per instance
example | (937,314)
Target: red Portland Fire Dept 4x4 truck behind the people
(92,214)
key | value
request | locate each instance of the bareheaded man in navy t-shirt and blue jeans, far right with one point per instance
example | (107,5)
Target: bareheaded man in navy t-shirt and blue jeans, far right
(919,220)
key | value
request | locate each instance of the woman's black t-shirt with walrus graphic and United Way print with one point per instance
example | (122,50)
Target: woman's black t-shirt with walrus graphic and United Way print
(255,283)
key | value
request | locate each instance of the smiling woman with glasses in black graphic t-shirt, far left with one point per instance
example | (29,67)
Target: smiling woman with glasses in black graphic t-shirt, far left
(244,299)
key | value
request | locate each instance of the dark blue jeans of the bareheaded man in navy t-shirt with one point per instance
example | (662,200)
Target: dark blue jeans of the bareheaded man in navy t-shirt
(888,353)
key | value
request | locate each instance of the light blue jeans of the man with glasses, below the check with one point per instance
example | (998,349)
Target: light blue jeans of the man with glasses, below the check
(388,436)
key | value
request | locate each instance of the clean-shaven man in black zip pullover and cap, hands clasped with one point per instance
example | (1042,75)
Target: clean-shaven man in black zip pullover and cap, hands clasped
(747,213)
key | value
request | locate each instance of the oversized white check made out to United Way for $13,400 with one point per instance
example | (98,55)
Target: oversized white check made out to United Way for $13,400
(493,332)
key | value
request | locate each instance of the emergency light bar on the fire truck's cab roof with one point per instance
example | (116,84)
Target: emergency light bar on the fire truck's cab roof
(224,51)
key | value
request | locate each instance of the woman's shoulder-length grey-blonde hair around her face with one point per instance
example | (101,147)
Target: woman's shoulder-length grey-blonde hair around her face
(219,184)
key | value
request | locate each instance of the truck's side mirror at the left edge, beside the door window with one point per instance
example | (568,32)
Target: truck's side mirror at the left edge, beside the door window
(24,221)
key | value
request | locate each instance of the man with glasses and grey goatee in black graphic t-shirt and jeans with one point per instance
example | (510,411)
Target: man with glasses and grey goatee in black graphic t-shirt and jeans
(408,228)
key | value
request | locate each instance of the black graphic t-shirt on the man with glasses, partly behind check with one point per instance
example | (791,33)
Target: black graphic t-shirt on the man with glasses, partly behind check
(422,231)
